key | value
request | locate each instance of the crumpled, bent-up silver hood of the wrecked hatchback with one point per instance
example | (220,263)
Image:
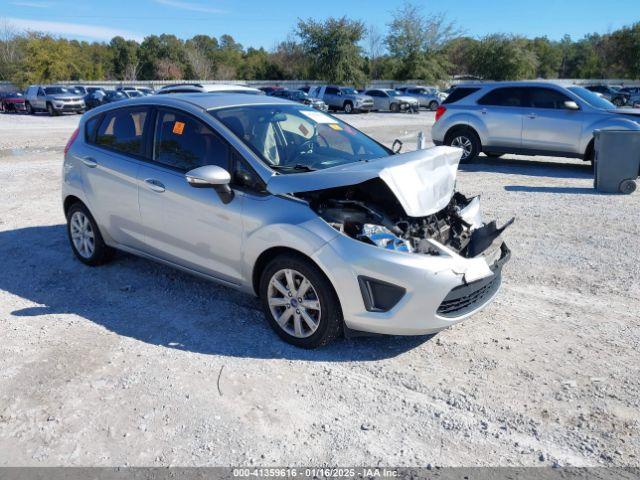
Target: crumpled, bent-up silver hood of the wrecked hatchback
(423,181)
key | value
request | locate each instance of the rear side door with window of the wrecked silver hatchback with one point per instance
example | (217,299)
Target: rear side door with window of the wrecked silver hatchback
(111,159)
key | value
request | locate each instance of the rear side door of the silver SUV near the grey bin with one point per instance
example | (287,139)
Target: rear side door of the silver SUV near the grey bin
(502,111)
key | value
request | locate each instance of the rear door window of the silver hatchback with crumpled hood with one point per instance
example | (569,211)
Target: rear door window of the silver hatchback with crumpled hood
(123,130)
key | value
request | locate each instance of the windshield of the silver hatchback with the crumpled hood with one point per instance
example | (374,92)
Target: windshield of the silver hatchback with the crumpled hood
(292,138)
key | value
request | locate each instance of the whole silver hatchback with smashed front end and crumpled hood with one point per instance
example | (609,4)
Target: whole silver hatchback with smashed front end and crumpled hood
(332,230)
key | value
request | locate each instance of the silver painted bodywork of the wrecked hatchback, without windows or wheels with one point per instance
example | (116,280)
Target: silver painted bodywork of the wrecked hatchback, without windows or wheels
(192,230)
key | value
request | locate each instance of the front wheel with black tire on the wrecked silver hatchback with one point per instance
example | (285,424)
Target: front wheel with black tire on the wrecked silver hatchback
(300,302)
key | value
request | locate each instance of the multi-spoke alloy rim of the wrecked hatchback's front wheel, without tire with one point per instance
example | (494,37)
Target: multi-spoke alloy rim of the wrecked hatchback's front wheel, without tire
(294,303)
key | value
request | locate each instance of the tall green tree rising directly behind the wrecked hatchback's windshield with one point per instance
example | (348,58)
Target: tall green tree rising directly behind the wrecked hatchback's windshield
(333,50)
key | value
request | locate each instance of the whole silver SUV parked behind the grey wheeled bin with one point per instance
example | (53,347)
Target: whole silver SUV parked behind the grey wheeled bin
(529,118)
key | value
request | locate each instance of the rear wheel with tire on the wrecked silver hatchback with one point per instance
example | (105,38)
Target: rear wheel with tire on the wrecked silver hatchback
(84,236)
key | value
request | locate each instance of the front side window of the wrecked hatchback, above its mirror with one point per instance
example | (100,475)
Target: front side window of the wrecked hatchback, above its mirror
(184,143)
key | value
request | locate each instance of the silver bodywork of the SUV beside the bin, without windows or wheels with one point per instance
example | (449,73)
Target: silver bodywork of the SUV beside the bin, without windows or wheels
(560,132)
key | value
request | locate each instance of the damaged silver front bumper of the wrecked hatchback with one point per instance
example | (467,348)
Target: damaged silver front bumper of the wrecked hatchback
(439,291)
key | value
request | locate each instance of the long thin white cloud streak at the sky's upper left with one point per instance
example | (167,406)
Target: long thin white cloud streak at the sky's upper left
(72,29)
